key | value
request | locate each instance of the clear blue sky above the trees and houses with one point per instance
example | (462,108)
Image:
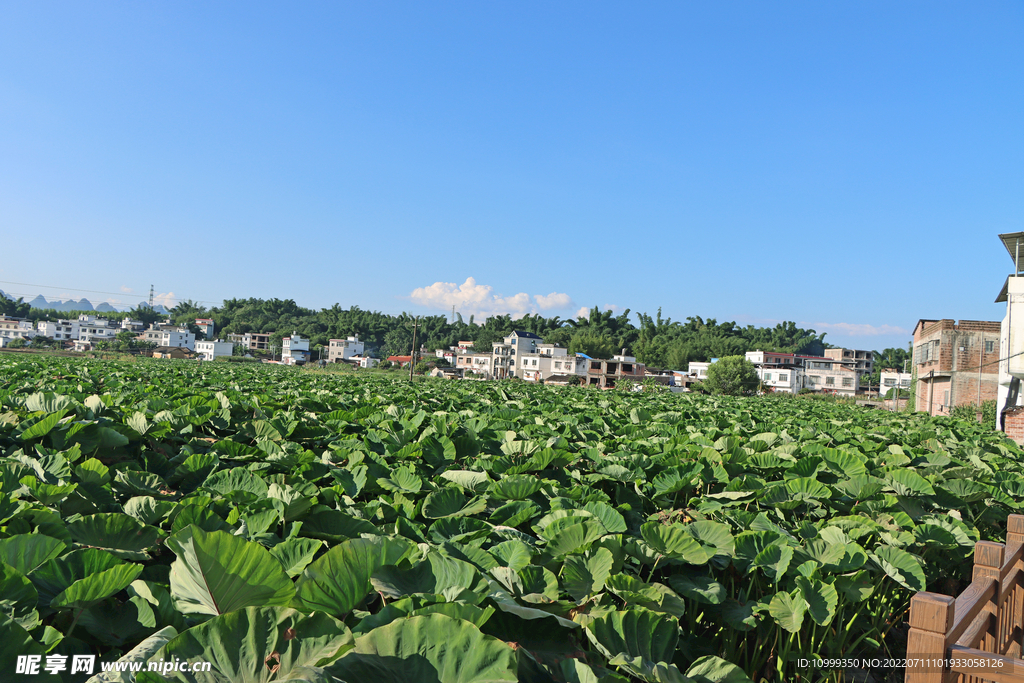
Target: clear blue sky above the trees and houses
(844,165)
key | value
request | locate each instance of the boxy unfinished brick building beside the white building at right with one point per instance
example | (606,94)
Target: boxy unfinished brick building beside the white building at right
(954,364)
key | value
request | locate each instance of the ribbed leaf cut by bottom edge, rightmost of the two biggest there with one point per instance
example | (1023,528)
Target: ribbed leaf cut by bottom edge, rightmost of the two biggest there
(434,649)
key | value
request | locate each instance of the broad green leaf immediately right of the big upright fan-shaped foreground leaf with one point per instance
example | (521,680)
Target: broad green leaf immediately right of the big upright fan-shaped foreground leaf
(337,582)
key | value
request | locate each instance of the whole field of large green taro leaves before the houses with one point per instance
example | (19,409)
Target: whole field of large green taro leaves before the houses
(297,526)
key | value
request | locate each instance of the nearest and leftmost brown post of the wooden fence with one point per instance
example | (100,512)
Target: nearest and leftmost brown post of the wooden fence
(931,620)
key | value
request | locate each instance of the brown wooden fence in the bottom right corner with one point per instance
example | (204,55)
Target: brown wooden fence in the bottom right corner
(976,636)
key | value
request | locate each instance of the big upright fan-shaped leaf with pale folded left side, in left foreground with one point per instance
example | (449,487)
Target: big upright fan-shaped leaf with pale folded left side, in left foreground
(218,573)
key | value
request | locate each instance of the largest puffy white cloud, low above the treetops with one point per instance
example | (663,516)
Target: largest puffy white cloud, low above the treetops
(473,300)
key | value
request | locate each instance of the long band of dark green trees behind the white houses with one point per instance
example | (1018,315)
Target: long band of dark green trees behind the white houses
(657,341)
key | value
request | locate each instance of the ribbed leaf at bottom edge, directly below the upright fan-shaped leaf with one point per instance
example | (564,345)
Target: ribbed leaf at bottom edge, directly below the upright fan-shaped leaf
(259,646)
